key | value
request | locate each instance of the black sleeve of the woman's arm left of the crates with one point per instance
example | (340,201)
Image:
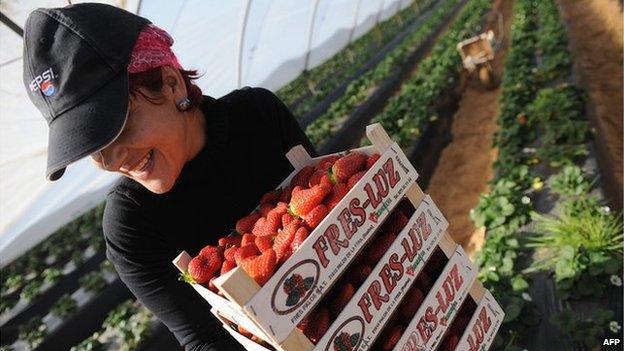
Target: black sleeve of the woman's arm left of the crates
(143,261)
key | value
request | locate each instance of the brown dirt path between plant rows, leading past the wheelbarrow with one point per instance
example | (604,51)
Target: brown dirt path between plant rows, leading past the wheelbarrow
(465,166)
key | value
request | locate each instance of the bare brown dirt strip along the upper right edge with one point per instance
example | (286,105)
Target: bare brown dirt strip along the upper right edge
(595,32)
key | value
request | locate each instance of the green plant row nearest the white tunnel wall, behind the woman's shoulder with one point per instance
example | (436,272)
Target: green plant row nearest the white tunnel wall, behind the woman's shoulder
(310,87)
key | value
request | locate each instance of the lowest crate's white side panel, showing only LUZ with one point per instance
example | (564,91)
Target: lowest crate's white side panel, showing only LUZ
(483,325)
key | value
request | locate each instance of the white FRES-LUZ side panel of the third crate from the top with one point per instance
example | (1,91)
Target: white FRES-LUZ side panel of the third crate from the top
(441,305)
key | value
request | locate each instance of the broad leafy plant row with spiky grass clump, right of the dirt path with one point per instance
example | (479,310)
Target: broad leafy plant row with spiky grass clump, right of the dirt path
(541,128)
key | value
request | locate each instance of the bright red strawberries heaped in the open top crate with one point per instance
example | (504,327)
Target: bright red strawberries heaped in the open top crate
(269,235)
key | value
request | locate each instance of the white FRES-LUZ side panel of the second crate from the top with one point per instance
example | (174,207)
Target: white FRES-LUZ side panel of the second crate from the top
(365,315)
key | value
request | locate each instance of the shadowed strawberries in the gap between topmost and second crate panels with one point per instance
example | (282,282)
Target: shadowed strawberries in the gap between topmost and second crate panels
(318,321)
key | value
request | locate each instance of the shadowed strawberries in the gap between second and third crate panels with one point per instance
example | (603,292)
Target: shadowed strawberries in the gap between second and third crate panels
(404,314)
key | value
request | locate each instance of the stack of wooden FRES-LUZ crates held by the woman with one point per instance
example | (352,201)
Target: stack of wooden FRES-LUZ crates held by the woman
(272,313)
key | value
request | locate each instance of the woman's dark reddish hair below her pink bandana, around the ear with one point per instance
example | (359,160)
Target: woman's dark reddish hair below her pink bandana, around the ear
(152,81)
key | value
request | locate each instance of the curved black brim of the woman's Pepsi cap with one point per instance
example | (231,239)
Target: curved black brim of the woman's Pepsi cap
(88,127)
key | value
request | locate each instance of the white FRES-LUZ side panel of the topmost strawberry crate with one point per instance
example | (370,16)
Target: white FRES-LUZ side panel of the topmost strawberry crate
(301,282)
